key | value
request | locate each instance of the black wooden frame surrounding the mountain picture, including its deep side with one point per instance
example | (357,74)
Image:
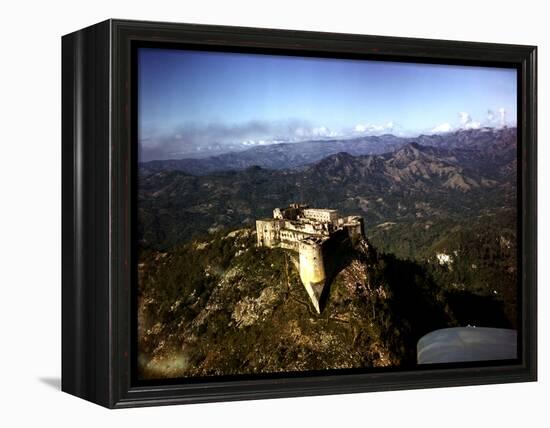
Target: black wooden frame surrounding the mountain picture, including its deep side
(99,163)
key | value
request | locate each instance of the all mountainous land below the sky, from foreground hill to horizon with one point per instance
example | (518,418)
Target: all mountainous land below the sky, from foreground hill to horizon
(440,220)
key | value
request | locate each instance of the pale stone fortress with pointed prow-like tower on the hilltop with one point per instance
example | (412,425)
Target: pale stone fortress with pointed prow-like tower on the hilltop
(311,232)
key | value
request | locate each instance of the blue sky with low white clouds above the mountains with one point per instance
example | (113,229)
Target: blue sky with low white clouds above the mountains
(198,103)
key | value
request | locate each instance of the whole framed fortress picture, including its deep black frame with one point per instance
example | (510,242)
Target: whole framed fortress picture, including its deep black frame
(254,213)
